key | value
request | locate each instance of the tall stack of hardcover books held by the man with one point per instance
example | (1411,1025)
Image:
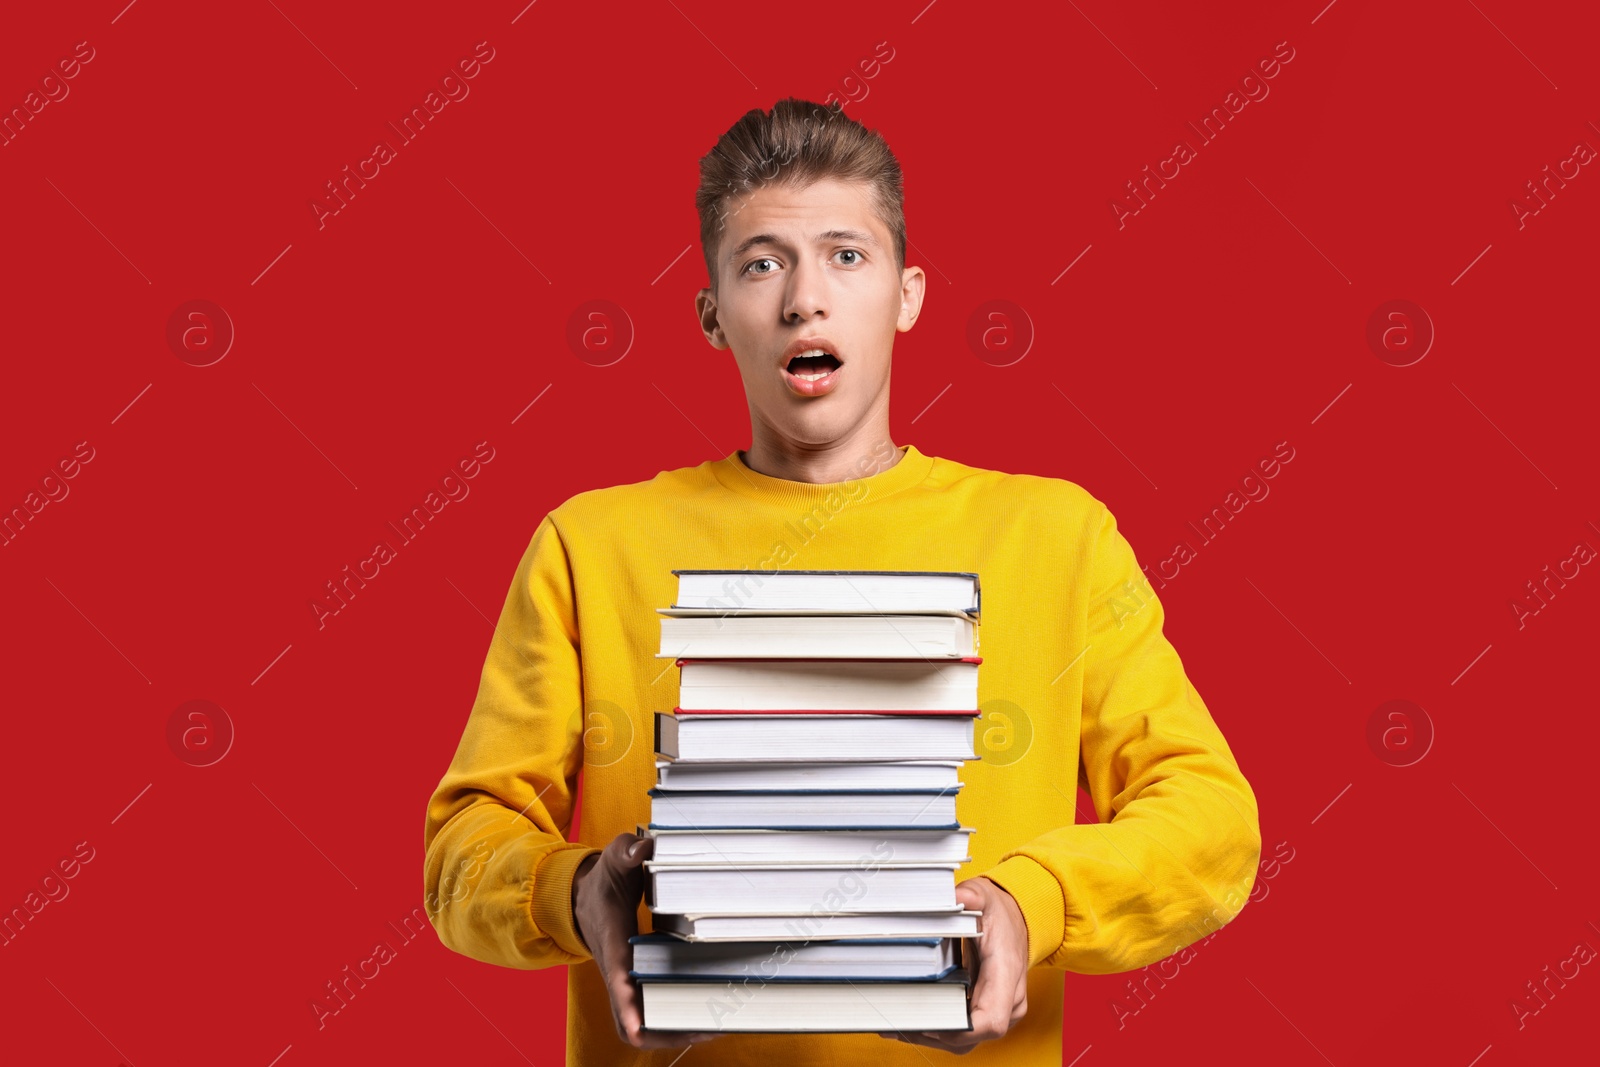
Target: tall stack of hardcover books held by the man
(804,812)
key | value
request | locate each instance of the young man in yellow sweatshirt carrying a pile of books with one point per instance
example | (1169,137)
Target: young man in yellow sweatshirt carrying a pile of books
(806,247)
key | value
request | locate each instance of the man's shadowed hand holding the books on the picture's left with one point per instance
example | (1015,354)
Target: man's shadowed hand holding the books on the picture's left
(607,890)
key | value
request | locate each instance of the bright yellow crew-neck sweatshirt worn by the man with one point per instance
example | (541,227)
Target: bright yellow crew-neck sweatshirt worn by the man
(1079,687)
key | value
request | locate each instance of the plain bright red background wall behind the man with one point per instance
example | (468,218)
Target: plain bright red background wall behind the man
(377,351)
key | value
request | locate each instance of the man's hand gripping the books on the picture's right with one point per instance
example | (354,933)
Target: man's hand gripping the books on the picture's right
(999,970)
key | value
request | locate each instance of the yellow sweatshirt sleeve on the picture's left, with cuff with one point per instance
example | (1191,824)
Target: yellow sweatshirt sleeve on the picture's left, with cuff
(498,868)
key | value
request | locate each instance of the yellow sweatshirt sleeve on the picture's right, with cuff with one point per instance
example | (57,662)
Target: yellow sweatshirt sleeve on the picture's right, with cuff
(1175,852)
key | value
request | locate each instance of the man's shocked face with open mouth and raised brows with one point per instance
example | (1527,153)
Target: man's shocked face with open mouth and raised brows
(804,270)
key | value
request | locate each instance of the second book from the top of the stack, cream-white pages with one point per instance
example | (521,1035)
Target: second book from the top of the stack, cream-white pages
(820,636)
